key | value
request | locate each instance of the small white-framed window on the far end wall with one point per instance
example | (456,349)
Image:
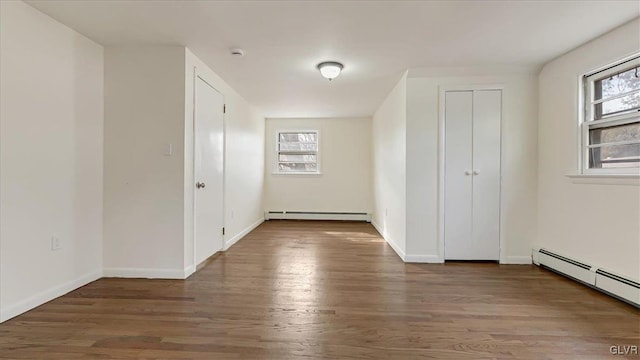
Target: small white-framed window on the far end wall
(297,152)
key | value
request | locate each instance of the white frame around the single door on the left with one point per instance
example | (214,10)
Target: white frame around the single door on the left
(199,75)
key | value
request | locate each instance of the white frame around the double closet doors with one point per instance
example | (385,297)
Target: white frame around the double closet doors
(442,89)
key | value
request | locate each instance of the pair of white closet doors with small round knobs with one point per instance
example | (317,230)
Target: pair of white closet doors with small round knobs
(472,175)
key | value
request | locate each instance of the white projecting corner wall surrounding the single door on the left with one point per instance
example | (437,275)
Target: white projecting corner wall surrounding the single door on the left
(148,195)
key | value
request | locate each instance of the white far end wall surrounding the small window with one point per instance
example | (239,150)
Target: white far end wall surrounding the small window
(345,164)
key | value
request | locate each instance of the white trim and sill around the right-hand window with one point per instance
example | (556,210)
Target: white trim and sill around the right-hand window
(611,175)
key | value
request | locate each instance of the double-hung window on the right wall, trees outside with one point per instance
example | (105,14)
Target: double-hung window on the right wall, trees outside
(611,128)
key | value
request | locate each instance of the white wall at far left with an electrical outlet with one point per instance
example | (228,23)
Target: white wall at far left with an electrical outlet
(51,117)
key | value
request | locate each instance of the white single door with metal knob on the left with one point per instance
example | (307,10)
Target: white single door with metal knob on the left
(208,170)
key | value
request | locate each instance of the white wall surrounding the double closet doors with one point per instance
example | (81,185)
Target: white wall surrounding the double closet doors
(519,158)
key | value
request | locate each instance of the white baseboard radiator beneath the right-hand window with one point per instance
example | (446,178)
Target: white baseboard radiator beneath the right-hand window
(600,279)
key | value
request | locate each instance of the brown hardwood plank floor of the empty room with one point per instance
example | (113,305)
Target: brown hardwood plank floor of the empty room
(334,290)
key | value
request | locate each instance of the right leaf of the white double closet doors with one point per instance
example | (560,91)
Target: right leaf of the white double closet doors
(487,106)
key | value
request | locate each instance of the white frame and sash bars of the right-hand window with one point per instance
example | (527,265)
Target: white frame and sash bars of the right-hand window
(587,122)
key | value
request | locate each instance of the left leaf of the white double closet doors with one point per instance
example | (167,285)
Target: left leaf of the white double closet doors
(458,178)
